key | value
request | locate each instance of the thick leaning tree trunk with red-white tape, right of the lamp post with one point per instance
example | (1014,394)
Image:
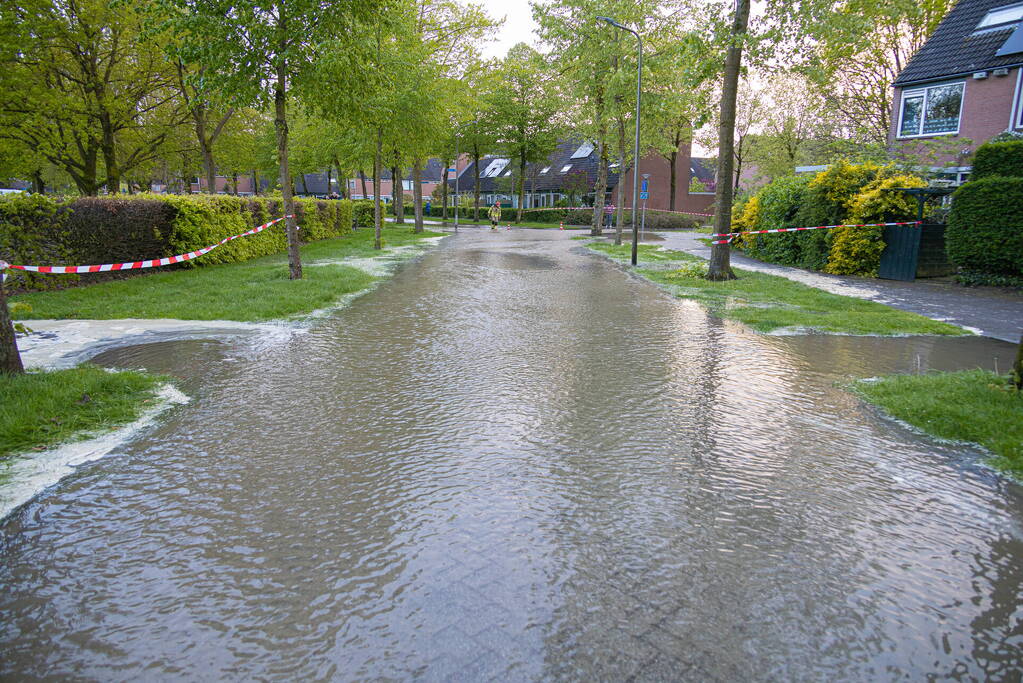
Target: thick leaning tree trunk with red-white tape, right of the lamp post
(721,256)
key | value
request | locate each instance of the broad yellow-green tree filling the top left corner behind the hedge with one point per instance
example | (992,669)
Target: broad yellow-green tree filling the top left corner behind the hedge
(83,87)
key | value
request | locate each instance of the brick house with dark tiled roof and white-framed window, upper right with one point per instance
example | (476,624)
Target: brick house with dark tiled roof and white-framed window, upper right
(963,85)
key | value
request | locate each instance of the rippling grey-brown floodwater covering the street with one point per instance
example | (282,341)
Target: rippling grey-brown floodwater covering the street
(515,462)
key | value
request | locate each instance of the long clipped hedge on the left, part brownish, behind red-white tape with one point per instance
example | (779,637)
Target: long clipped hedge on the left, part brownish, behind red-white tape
(41,231)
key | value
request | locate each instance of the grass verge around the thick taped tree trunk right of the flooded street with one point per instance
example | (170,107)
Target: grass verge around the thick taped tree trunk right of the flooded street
(768,303)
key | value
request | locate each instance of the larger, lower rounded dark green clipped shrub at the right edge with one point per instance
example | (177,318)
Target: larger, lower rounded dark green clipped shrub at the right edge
(986,226)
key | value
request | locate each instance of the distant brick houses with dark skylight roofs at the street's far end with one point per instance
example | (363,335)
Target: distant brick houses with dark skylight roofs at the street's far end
(576,164)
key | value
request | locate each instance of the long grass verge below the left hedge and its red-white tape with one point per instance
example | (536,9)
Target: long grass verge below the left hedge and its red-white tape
(249,292)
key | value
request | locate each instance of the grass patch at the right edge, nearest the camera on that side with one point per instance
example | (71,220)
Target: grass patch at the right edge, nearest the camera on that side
(974,406)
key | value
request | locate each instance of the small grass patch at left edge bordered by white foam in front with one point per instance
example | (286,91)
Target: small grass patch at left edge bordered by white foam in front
(43,409)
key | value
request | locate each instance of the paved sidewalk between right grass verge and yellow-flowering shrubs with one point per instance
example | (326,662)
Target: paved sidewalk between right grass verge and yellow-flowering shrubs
(989,311)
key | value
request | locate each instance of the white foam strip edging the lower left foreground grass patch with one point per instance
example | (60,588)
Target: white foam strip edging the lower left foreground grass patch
(29,475)
